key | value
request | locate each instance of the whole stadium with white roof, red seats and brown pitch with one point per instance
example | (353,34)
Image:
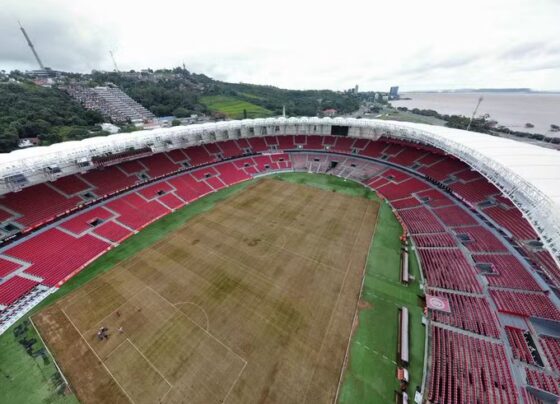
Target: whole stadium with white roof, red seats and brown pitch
(286,260)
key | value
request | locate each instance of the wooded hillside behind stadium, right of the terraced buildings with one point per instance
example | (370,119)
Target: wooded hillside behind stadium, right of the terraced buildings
(181,93)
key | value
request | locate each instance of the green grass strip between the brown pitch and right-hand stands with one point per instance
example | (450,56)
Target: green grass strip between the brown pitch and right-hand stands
(370,376)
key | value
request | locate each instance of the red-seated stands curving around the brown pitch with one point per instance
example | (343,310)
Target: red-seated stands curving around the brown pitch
(461,258)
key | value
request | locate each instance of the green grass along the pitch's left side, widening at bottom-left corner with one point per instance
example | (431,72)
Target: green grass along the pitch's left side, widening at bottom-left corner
(32,377)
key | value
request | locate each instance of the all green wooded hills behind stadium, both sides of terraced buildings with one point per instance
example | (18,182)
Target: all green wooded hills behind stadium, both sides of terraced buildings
(29,110)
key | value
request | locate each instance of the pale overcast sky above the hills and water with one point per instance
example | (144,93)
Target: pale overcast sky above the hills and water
(419,45)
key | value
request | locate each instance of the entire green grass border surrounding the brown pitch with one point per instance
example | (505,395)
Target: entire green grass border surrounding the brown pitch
(370,376)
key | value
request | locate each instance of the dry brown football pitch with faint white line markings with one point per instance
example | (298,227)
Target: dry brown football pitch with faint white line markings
(252,301)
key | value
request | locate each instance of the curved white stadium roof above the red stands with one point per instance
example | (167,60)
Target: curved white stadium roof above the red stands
(528,174)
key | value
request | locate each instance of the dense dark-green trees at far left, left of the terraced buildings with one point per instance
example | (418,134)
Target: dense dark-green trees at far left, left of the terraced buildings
(27,110)
